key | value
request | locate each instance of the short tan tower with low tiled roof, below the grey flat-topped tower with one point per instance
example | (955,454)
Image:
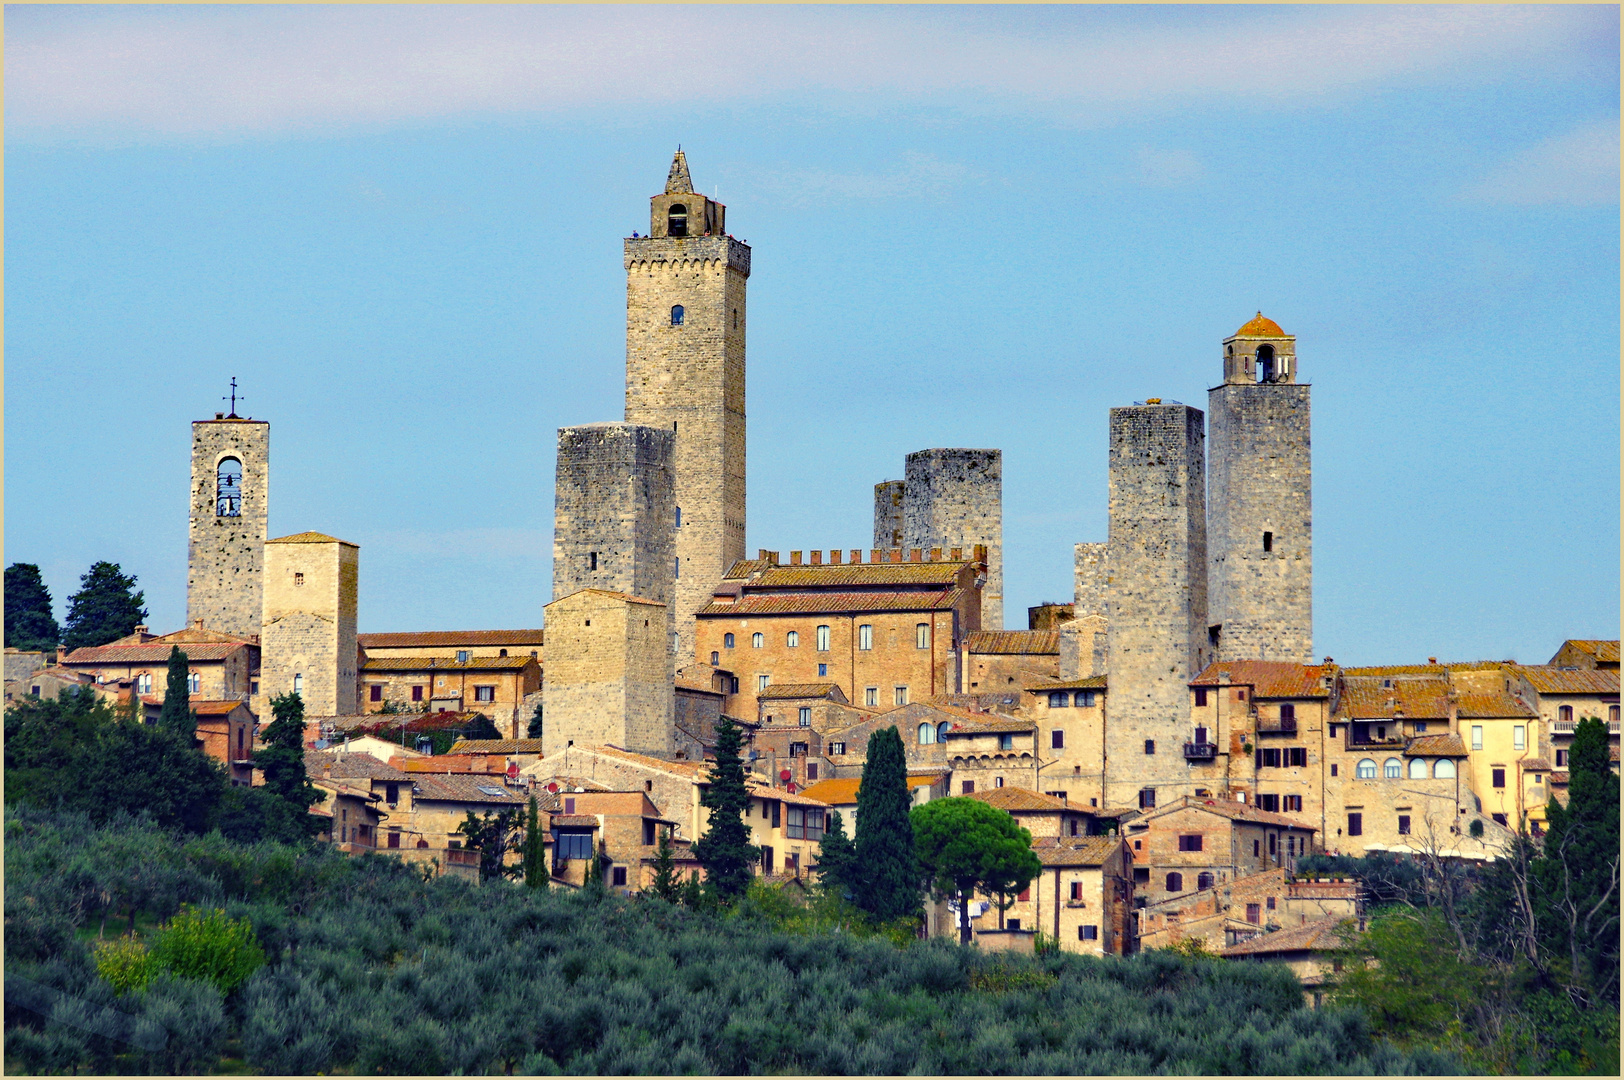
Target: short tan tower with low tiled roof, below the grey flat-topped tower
(608,675)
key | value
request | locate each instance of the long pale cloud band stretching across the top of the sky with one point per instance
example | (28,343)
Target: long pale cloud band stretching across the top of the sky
(202,71)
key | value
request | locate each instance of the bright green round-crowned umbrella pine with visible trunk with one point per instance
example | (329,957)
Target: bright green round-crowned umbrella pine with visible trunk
(967,845)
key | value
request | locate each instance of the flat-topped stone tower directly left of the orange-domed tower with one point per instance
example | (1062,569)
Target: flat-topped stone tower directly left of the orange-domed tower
(1155,597)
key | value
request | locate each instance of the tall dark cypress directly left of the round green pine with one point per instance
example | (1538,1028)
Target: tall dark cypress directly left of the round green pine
(886,879)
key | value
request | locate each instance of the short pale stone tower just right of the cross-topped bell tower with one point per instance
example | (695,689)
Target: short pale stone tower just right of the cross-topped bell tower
(308,639)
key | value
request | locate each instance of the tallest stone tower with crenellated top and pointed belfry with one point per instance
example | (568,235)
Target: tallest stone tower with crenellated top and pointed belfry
(685,373)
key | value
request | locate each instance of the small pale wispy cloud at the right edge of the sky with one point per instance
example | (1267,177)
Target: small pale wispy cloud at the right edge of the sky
(1579,168)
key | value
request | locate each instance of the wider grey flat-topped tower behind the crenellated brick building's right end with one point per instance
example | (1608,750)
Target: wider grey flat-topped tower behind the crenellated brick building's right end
(956,499)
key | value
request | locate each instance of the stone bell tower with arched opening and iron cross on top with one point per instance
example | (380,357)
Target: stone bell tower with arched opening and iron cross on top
(231,472)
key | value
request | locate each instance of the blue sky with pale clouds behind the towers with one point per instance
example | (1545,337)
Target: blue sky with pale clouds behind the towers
(400,230)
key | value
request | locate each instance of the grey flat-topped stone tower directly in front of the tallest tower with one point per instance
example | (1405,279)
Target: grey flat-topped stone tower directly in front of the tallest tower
(615,512)
